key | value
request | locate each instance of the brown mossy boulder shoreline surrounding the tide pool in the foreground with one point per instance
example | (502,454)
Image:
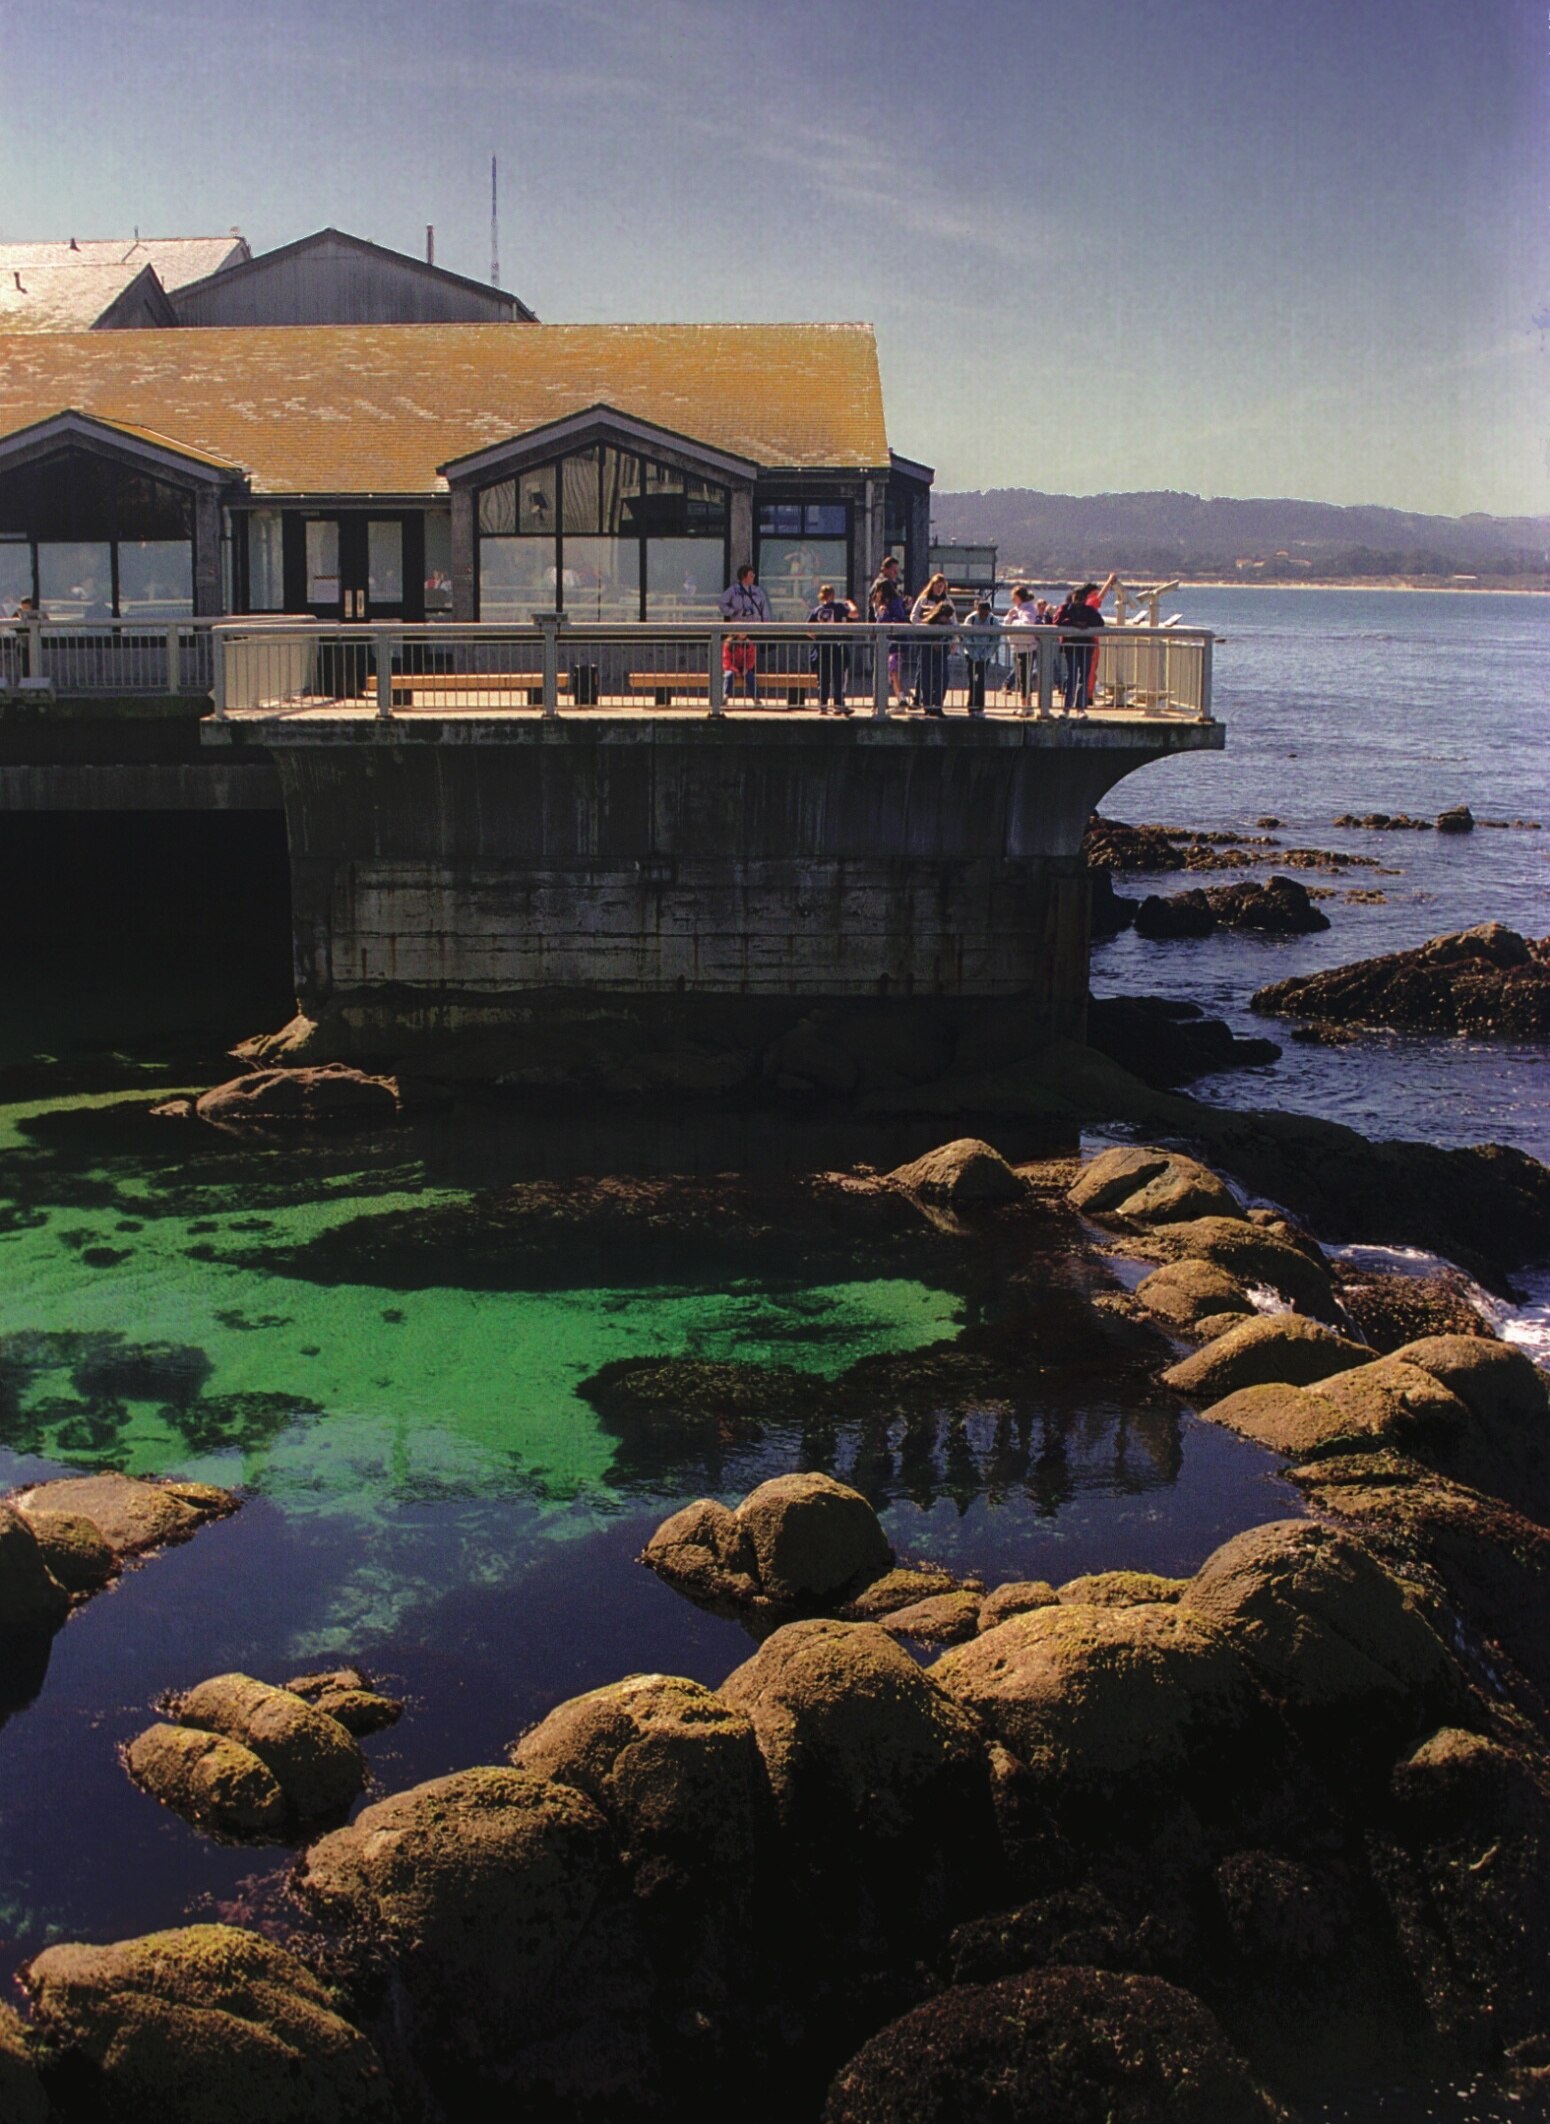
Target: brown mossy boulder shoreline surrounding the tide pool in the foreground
(1122,1847)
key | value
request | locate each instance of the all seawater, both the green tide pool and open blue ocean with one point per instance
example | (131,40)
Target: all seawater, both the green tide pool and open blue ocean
(424,1486)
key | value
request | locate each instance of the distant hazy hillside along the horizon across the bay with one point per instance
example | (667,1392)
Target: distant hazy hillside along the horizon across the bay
(1165,534)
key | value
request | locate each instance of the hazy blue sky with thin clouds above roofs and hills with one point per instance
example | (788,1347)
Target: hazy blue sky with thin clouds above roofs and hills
(1230,247)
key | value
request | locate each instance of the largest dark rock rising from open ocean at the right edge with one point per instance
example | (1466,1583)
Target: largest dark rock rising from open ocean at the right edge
(1489,982)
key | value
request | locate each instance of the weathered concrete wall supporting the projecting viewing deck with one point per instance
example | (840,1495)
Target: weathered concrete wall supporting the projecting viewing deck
(451,870)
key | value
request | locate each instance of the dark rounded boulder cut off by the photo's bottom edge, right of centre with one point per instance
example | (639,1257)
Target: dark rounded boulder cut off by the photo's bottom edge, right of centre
(1061,2046)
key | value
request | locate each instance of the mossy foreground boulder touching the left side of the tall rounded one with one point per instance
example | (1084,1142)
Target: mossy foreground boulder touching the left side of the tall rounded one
(672,1766)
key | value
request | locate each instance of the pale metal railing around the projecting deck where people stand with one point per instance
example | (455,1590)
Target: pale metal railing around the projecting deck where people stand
(286,666)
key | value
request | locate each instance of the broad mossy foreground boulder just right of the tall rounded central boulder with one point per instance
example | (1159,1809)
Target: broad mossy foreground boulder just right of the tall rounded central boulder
(1097,1698)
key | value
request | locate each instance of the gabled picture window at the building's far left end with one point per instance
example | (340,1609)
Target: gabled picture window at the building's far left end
(94,541)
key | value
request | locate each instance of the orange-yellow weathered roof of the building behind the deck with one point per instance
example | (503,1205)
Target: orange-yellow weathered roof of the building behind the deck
(377,409)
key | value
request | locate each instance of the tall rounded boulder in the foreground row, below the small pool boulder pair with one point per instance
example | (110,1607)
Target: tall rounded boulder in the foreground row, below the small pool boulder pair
(857,1738)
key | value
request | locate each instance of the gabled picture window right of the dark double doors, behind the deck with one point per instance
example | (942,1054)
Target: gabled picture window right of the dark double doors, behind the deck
(604,536)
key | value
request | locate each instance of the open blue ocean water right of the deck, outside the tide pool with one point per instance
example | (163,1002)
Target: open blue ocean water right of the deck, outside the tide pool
(1351,702)
